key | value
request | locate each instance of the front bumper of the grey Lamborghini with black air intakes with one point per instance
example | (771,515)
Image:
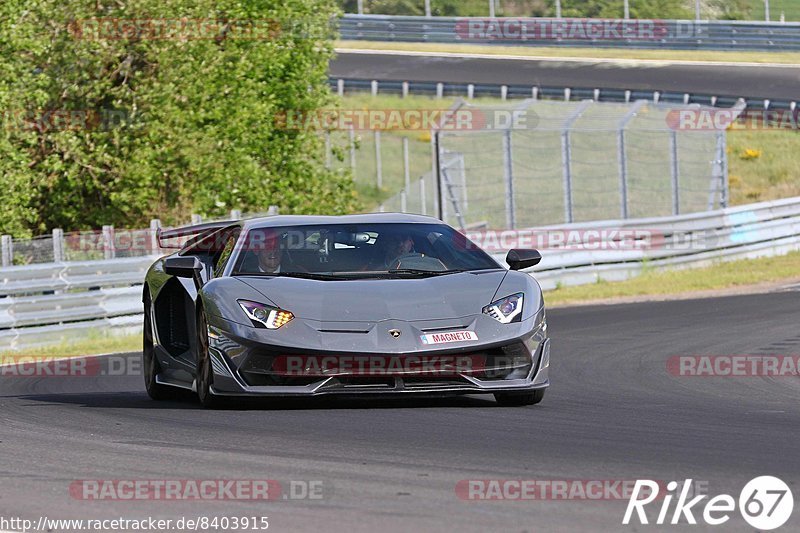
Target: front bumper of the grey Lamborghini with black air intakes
(243,365)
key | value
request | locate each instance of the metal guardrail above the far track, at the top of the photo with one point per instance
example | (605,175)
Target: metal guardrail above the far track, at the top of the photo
(673,34)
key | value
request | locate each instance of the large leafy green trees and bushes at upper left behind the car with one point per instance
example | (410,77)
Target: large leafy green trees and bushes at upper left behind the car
(108,124)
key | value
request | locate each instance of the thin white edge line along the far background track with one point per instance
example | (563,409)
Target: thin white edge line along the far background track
(625,62)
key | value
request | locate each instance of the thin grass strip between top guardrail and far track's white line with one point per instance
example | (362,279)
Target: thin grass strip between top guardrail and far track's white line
(593,53)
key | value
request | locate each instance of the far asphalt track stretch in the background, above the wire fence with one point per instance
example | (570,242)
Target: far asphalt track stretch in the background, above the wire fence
(750,81)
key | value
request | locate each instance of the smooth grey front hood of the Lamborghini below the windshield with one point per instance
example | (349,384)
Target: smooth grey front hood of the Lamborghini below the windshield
(372,300)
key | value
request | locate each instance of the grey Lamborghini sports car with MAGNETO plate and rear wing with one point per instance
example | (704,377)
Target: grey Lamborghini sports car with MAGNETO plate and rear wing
(385,304)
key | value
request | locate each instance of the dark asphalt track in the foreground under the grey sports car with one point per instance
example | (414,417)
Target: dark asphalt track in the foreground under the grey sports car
(612,413)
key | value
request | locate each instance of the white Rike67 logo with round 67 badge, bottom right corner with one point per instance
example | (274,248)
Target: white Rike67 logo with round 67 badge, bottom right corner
(765,503)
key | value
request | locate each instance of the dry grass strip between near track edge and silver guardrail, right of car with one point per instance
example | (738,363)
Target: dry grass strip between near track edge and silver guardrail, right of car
(724,275)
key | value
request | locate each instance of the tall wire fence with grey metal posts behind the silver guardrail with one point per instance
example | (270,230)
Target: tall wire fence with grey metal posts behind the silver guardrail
(565,162)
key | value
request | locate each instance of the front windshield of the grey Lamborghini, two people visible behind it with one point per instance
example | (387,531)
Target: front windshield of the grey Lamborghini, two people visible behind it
(359,250)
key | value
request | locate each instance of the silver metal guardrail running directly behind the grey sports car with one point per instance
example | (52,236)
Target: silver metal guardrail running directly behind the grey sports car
(49,303)
